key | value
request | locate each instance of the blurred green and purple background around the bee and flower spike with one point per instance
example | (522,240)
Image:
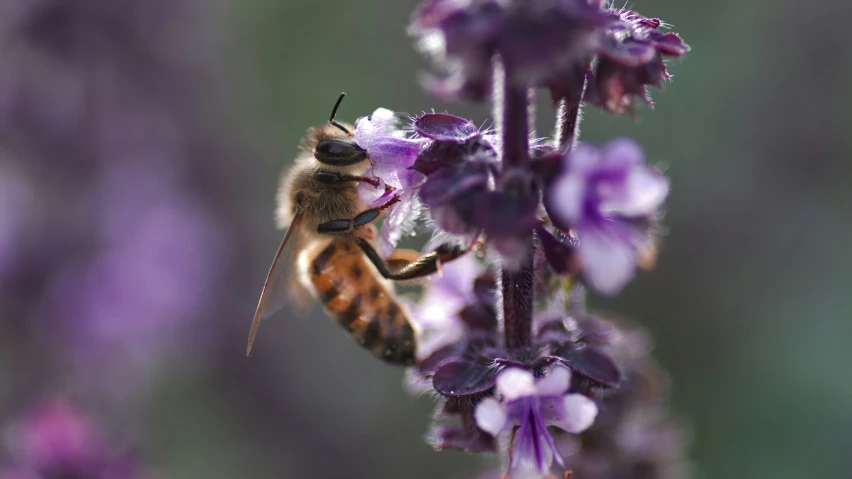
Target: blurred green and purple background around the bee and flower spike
(140,147)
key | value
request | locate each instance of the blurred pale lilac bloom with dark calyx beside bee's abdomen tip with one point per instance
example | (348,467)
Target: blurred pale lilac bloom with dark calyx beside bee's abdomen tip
(461,343)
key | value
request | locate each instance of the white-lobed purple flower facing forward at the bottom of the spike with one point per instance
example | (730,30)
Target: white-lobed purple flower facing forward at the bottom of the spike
(533,405)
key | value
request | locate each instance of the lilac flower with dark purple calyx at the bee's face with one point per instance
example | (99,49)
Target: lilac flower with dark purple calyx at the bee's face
(449,165)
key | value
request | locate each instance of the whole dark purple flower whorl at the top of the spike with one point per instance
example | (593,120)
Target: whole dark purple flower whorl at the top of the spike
(545,43)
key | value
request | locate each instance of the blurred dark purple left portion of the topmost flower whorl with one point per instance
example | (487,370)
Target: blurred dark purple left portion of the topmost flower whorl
(540,42)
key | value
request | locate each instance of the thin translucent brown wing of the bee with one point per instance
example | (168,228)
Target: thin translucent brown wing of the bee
(275,290)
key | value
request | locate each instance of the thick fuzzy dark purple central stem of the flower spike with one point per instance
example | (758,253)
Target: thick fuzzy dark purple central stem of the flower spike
(516,285)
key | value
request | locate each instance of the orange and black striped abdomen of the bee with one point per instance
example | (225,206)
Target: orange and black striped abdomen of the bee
(352,294)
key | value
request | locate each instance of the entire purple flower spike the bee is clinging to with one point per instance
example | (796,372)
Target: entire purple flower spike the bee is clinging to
(519,366)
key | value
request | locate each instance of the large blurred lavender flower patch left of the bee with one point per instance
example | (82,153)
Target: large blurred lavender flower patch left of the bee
(160,254)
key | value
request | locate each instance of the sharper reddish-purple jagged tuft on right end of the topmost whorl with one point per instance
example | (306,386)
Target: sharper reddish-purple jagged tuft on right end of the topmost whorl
(630,58)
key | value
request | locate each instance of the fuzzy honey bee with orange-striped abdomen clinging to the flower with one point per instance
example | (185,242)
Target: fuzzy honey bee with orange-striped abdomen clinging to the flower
(330,233)
